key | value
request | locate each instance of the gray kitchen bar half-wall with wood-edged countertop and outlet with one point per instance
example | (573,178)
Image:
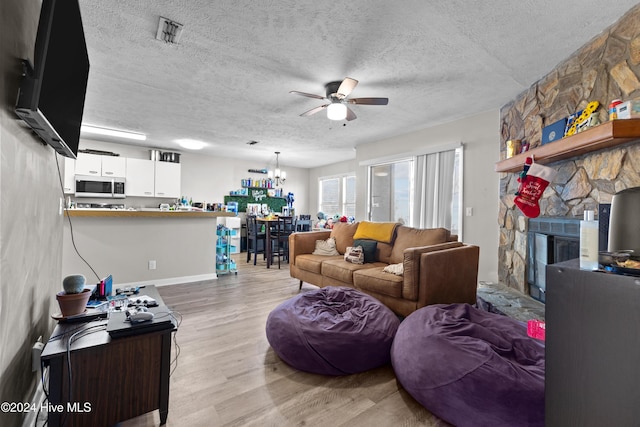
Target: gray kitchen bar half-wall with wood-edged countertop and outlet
(141,247)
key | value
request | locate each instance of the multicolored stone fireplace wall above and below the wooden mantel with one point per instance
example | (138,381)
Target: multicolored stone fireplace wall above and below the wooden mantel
(606,68)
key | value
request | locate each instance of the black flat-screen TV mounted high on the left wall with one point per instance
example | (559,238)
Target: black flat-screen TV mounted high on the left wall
(51,96)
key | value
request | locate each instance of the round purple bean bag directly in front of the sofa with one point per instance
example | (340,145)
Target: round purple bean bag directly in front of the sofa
(332,331)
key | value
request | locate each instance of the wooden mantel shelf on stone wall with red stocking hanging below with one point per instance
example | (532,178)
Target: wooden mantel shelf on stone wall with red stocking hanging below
(606,135)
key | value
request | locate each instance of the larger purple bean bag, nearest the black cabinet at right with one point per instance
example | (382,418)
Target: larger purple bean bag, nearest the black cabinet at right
(470,367)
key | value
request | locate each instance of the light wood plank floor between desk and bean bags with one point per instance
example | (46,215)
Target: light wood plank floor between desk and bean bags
(228,375)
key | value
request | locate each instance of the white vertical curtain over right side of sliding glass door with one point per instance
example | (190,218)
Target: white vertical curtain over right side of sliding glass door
(434,194)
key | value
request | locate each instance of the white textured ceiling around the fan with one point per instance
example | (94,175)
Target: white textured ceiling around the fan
(228,80)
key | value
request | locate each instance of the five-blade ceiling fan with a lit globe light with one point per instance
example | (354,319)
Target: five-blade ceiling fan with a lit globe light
(337,93)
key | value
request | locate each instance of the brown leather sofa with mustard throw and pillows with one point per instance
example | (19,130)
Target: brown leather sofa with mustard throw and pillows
(437,268)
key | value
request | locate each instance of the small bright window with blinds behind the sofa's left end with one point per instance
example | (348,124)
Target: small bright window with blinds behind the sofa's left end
(338,195)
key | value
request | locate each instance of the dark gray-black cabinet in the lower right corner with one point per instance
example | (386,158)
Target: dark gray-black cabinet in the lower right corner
(592,348)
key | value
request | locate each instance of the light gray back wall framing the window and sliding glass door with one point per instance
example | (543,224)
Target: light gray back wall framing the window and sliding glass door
(481,138)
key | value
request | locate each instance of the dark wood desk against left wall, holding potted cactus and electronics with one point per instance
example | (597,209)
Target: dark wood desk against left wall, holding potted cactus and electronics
(112,380)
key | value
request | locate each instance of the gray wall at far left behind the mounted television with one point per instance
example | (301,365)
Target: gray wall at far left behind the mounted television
(30,224)
